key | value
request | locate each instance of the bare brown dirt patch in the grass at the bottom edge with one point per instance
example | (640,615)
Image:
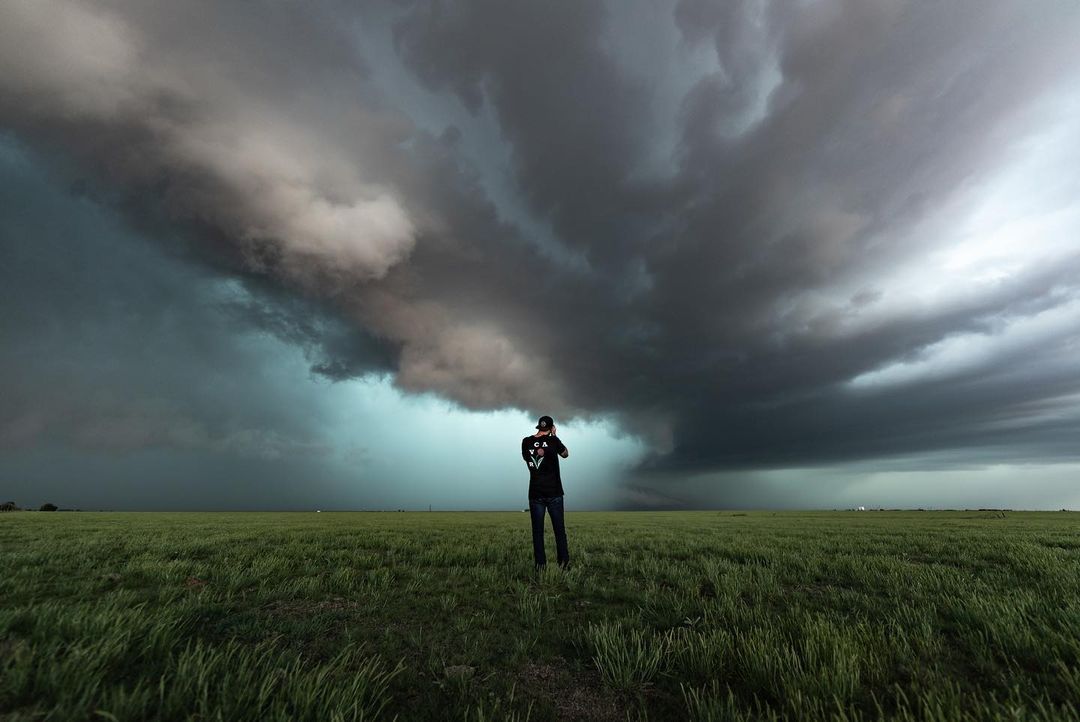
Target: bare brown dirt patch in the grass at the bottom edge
(577,696)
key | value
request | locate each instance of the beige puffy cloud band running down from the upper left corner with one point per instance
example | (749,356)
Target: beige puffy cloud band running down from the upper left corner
(264,181)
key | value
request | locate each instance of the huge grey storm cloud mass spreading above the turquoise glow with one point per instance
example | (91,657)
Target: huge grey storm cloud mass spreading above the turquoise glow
(768,233)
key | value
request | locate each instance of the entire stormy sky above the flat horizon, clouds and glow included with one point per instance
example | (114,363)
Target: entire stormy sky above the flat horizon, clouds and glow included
(275,255)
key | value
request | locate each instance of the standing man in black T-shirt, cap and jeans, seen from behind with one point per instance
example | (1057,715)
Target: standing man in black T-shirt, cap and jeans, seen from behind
(542,453)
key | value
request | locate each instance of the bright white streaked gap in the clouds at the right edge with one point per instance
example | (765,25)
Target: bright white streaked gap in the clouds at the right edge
(1009,233)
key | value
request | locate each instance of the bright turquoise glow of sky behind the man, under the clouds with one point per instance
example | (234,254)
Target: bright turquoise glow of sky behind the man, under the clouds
(433,453)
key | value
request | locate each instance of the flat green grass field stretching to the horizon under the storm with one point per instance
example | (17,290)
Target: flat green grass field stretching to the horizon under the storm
(699,616)
